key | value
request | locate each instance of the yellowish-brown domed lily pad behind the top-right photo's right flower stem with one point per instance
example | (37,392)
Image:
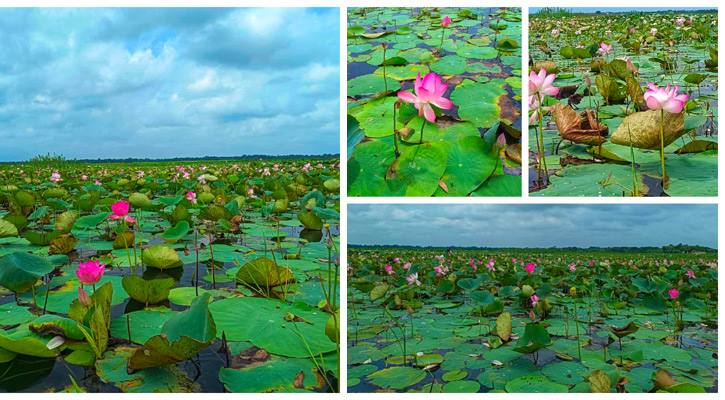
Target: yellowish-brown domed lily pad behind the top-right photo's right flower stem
(645,129)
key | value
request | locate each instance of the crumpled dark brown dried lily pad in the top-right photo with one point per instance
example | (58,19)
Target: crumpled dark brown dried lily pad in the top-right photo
(579,128)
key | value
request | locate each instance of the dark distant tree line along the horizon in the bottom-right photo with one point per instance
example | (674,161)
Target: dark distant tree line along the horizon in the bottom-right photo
(679,248)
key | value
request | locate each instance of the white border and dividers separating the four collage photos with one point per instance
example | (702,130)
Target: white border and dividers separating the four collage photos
(343,4)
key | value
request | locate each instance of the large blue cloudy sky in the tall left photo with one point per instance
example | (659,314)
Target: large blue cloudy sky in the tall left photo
(117,83)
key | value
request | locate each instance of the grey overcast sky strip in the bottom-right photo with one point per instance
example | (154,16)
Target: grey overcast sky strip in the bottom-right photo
(532,225)
